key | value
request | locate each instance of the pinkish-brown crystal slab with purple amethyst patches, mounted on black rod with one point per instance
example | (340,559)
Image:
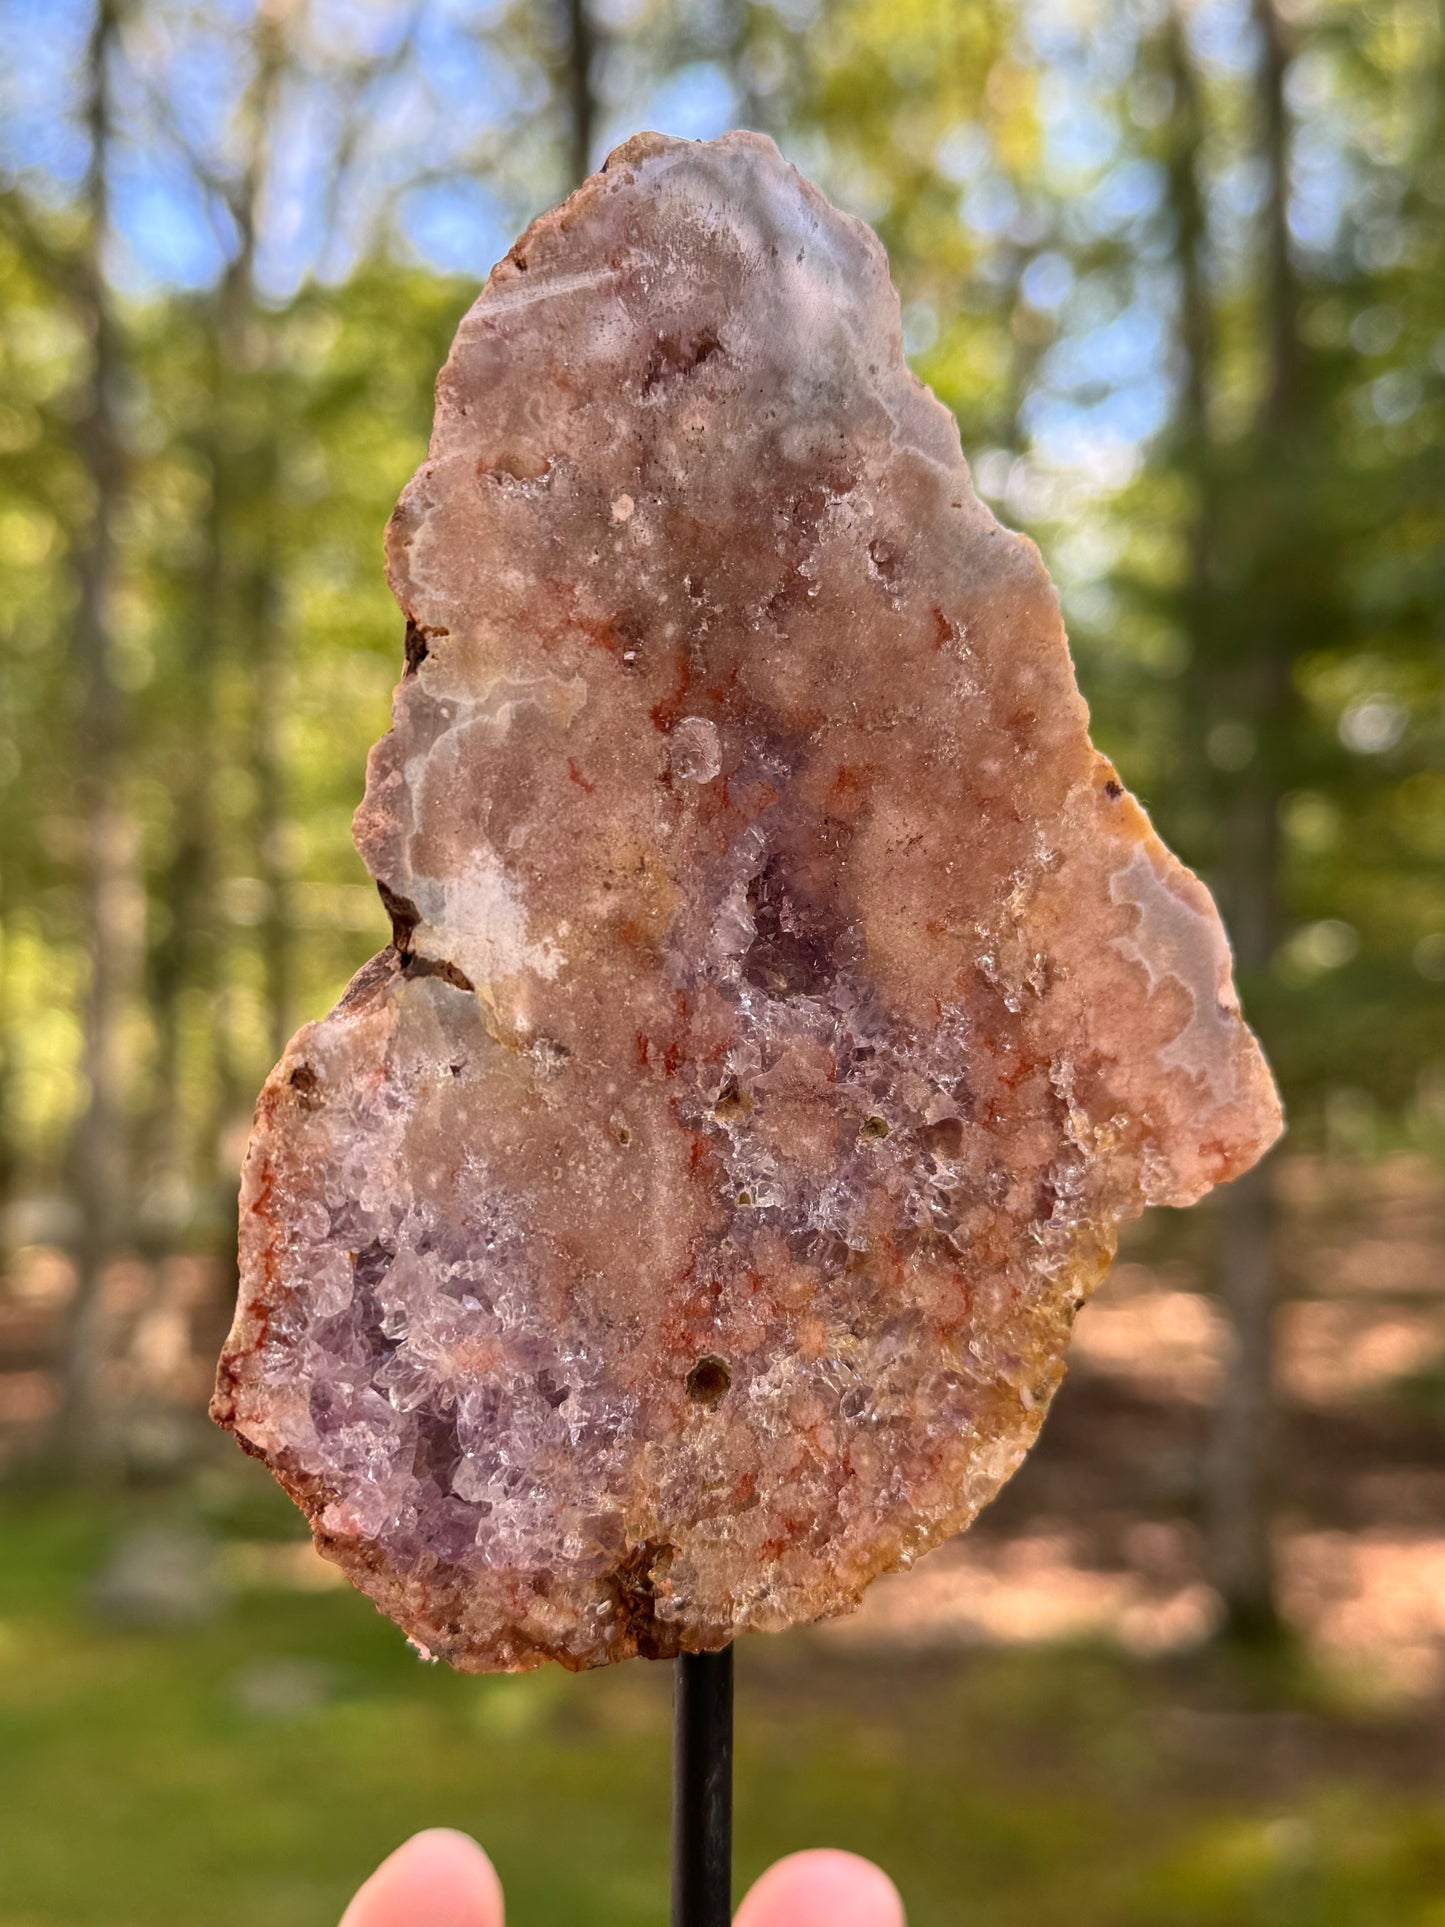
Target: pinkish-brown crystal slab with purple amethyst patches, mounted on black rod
(681,1223)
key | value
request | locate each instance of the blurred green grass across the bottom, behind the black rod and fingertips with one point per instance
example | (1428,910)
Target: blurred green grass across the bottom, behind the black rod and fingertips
(255,1766)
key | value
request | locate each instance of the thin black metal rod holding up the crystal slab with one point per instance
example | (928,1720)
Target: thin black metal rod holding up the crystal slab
(702,1791)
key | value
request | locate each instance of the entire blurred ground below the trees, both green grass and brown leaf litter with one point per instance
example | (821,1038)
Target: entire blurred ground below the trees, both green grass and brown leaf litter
(201,1724)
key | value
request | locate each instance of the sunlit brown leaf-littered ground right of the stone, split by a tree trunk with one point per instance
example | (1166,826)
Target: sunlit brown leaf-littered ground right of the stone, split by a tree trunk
(1097,1539)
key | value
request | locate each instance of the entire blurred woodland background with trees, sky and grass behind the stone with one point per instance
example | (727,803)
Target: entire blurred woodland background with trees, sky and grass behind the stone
(1180,271)
